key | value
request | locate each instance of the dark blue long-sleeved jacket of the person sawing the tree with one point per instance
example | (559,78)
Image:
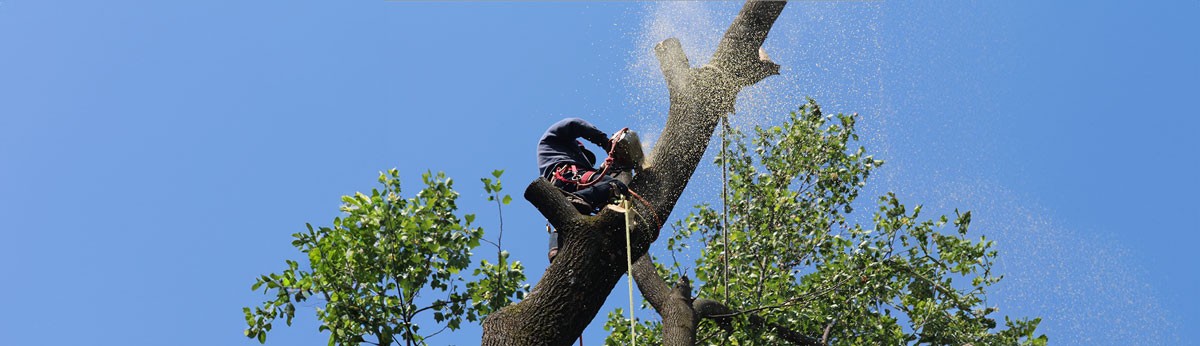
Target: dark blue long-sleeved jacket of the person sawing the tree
(559,145)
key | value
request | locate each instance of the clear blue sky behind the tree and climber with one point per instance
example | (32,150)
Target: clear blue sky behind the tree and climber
(155,157)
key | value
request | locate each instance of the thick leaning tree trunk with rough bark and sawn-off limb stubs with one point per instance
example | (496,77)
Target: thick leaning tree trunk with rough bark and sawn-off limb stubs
(593,258)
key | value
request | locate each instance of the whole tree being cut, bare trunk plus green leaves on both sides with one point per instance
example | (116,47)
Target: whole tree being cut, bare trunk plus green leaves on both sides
(799,270)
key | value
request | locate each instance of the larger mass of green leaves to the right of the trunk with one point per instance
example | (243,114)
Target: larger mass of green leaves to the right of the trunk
(795,260)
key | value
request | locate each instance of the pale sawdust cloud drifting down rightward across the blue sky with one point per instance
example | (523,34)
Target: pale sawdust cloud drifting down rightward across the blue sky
(837,53)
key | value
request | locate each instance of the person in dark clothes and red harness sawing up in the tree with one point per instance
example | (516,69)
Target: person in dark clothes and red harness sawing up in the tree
(568,165)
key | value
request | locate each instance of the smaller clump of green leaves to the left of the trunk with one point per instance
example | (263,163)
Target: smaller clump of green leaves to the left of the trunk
(385,263)
